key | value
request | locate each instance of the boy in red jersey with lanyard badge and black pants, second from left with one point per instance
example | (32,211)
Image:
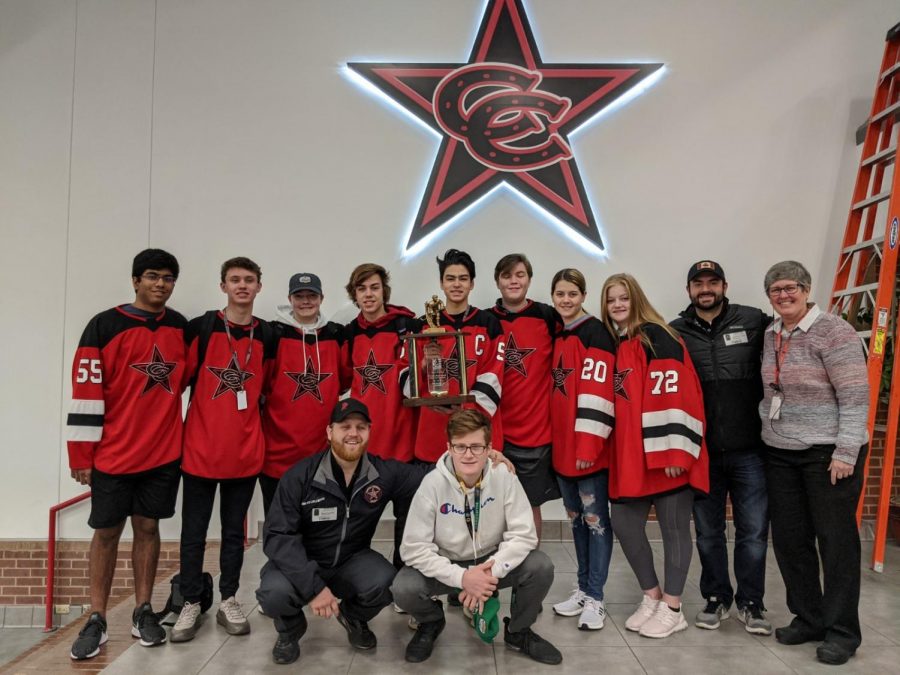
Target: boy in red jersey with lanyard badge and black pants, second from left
(223,441)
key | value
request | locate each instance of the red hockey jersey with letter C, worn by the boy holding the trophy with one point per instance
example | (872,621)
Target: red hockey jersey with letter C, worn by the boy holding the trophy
(484,368)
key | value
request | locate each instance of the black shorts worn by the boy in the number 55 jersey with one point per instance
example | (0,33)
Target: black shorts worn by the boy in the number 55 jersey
(150,494)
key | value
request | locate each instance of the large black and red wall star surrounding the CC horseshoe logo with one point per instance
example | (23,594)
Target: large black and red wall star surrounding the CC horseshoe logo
(458,179)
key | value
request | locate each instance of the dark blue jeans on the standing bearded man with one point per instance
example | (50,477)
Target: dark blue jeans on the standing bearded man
(743,476)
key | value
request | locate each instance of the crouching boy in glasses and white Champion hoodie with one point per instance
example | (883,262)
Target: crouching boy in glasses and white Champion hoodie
(470,527)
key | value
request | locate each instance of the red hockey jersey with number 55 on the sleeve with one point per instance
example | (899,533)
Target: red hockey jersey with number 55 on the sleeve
(127,378)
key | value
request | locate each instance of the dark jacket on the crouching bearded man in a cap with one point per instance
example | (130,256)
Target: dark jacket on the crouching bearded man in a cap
(311,523)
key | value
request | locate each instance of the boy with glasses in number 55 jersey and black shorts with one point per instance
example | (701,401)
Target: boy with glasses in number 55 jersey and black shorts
(124,437)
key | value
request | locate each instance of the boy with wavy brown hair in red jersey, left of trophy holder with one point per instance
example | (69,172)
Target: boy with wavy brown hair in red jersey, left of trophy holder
(374,357)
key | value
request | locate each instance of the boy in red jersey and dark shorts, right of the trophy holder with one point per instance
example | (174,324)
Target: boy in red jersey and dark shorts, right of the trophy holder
(529,328)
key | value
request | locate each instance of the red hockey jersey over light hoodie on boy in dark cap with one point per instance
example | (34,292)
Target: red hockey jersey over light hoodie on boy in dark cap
(301,391)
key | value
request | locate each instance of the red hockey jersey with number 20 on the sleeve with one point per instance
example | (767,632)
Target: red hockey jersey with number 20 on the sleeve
(582,407)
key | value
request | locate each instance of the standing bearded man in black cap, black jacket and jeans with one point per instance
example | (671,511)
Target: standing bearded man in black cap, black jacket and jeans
(725,343)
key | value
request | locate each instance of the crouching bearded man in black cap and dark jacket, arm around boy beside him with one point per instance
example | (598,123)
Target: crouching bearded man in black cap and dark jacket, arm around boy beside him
(319,554)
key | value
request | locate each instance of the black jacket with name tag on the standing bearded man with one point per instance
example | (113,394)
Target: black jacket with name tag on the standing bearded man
(727,356)
